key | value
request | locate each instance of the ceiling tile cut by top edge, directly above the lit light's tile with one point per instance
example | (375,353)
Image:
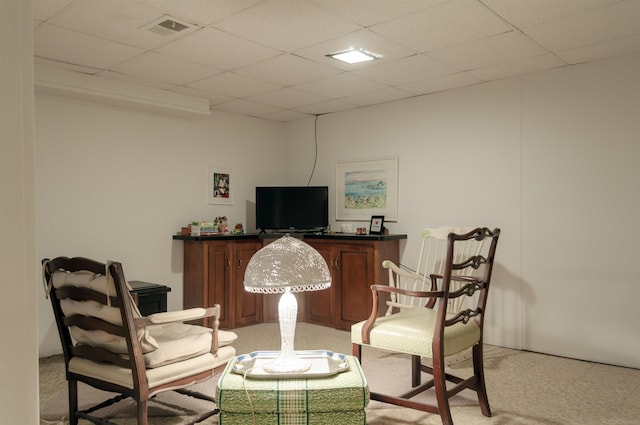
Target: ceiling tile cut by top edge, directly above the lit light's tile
(370,12)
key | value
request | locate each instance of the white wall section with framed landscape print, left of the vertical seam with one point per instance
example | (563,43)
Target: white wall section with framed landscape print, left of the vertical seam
(438,139)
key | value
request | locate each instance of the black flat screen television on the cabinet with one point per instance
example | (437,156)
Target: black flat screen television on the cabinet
(292,208)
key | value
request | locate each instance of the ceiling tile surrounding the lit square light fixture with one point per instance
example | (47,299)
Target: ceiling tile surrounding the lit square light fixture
(364,39)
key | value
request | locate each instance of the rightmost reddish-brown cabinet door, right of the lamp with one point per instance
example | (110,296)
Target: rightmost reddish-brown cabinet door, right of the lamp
(355,268)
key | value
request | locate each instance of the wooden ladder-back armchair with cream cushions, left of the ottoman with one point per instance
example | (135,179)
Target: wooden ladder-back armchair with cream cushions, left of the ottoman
(107,343)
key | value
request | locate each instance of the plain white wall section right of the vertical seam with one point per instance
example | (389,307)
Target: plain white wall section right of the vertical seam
(580,209)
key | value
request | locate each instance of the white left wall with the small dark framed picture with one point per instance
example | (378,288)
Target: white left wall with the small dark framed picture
(114,183)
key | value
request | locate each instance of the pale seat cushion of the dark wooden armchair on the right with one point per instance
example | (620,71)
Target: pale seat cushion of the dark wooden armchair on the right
(411,331)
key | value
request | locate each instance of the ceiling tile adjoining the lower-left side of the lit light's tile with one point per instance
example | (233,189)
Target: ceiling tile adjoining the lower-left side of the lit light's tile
(287,70)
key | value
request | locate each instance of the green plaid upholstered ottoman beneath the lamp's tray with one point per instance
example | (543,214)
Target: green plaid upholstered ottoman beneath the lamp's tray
(337,399)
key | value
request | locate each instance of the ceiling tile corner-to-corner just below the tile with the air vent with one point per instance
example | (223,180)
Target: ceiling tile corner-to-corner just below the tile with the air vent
(165,68)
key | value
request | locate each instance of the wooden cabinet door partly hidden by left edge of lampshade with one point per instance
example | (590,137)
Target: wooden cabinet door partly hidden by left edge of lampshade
(248,305)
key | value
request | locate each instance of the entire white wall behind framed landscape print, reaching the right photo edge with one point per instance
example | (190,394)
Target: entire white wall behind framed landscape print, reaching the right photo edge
(557,154)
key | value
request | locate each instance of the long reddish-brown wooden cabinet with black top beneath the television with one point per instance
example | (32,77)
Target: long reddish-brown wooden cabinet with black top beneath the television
(214,273)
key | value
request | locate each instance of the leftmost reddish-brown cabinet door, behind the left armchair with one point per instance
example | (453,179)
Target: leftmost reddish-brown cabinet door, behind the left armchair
(218,274)
